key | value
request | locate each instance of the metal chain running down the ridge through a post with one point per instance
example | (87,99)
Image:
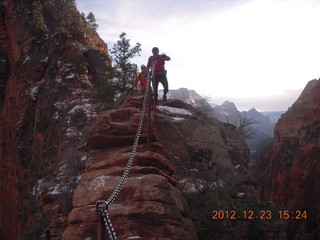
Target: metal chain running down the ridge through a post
(102,206)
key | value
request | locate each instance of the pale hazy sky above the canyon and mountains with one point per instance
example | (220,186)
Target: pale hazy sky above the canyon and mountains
(255,53)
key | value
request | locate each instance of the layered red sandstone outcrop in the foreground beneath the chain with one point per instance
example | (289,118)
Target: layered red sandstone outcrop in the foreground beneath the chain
(149,204)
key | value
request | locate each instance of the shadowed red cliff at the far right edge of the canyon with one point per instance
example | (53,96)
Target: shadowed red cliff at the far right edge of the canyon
(292,180)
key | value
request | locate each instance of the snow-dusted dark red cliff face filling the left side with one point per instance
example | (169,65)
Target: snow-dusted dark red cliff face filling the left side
(46,74)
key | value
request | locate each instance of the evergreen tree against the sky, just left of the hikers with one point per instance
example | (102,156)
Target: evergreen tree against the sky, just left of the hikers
(123,71)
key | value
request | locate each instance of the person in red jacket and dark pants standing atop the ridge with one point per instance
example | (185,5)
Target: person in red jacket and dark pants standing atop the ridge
(157,62)
